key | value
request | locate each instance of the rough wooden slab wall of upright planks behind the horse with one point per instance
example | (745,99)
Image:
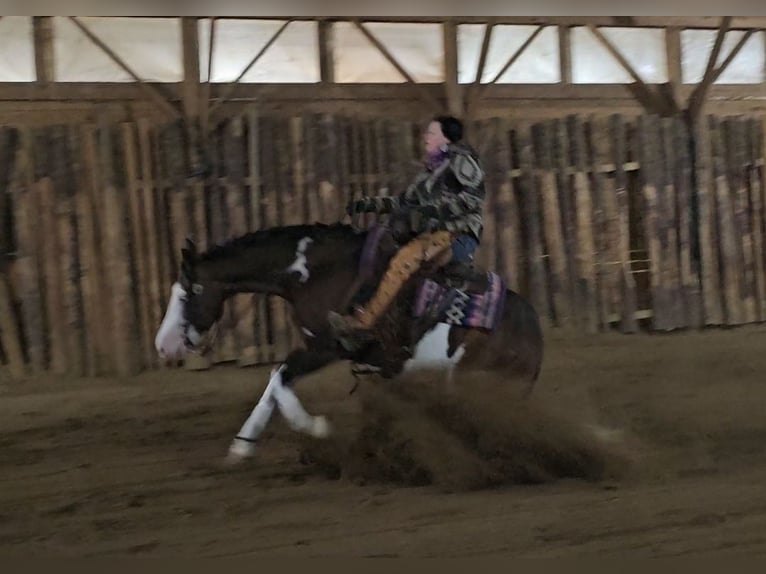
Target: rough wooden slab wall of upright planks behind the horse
(603,223)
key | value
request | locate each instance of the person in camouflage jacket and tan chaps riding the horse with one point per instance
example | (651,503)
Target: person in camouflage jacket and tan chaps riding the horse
(444,204)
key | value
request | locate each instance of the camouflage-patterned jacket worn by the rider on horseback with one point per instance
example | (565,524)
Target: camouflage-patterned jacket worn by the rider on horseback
(449,197)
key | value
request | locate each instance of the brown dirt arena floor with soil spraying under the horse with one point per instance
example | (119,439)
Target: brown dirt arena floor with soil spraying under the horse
(630,446)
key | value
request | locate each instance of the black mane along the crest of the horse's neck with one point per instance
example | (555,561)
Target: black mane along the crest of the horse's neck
(287,233)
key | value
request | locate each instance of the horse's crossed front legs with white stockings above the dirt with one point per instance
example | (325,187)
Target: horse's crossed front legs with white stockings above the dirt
(279,393)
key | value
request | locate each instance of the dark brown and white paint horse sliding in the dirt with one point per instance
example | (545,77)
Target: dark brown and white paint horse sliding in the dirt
(317,268)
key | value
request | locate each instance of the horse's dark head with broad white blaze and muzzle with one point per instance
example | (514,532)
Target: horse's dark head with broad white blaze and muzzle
(196,305)
